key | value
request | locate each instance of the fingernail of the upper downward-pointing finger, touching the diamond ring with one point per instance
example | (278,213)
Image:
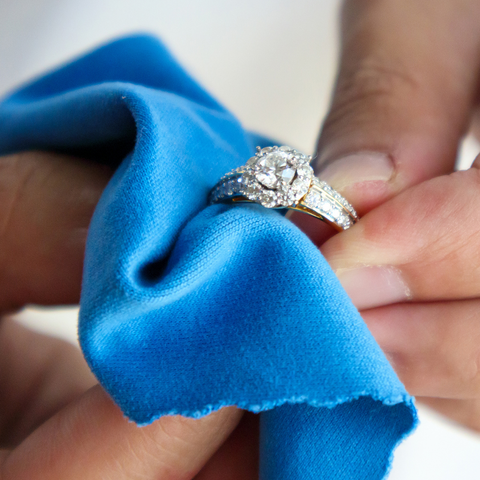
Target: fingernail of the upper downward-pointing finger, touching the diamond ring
(357,168)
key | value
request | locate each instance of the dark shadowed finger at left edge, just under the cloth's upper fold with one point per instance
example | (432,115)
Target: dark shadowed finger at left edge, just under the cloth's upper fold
(46,202)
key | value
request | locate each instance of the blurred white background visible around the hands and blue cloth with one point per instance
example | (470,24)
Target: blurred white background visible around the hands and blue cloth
(272,62)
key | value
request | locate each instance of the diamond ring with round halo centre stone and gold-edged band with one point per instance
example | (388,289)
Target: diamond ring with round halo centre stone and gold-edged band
(281,177)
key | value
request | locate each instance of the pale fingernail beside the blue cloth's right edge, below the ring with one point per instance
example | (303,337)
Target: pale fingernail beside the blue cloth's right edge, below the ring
(374,286)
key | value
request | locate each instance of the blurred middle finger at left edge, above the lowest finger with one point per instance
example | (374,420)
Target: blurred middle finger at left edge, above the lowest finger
(39,375)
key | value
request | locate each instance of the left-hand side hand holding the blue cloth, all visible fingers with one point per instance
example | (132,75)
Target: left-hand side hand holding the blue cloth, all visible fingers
(55,422)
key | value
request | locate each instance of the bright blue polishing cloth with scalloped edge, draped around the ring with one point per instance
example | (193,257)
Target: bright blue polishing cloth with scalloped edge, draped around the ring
(186,307)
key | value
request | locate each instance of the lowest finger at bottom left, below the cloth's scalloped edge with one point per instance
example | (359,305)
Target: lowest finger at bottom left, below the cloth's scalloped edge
(91,439)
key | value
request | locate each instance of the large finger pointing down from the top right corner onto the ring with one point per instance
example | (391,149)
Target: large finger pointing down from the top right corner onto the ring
(406,83)
